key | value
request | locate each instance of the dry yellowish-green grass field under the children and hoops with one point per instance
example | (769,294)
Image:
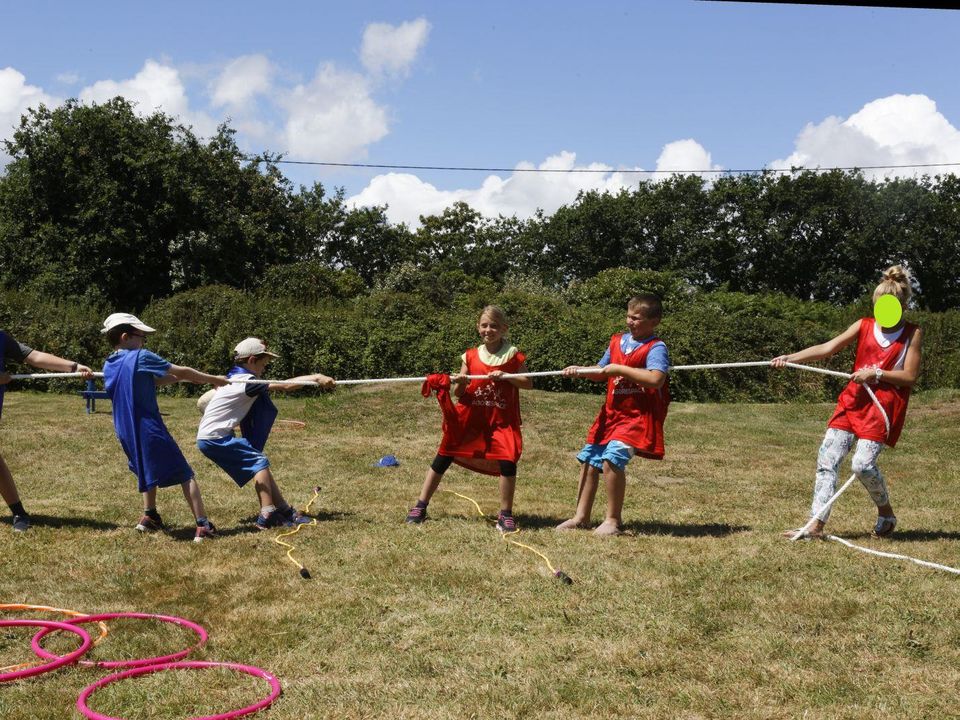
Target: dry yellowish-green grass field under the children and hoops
(700,611)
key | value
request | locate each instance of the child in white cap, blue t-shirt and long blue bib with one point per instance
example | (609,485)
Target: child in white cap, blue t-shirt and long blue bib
(131,375)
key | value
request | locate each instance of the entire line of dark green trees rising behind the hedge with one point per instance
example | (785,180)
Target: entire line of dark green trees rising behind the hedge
(102,204)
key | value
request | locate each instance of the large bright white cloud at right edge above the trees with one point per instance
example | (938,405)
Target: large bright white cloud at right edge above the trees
(895,130)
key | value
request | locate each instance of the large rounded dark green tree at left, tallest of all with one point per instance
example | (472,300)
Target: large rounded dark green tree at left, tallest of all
(136,207)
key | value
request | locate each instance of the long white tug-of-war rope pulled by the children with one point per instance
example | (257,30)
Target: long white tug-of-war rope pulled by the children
(802,532)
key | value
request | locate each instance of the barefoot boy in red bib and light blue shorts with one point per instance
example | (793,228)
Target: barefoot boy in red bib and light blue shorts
(631,420)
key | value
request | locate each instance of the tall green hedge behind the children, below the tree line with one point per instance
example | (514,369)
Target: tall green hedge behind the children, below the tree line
(420,322)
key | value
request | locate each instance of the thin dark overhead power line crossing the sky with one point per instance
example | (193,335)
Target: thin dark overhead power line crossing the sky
(464,168)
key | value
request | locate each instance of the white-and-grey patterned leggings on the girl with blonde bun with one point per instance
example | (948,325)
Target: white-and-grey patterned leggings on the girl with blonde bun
(836,445)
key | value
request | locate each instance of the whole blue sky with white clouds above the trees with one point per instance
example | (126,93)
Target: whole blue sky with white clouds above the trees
(669,84)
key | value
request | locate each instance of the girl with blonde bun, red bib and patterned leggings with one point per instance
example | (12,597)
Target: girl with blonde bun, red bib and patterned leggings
(888,360)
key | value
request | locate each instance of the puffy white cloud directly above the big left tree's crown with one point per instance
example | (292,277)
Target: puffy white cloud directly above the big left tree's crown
(155,87)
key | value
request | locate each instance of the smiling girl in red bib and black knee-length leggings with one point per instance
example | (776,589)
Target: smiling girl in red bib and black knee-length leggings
(482,431)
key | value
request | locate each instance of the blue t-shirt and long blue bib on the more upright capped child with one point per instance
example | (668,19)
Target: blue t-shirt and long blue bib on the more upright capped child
(152,454)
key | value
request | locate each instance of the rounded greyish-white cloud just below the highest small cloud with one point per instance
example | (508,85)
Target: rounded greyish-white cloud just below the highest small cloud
(333,117)
